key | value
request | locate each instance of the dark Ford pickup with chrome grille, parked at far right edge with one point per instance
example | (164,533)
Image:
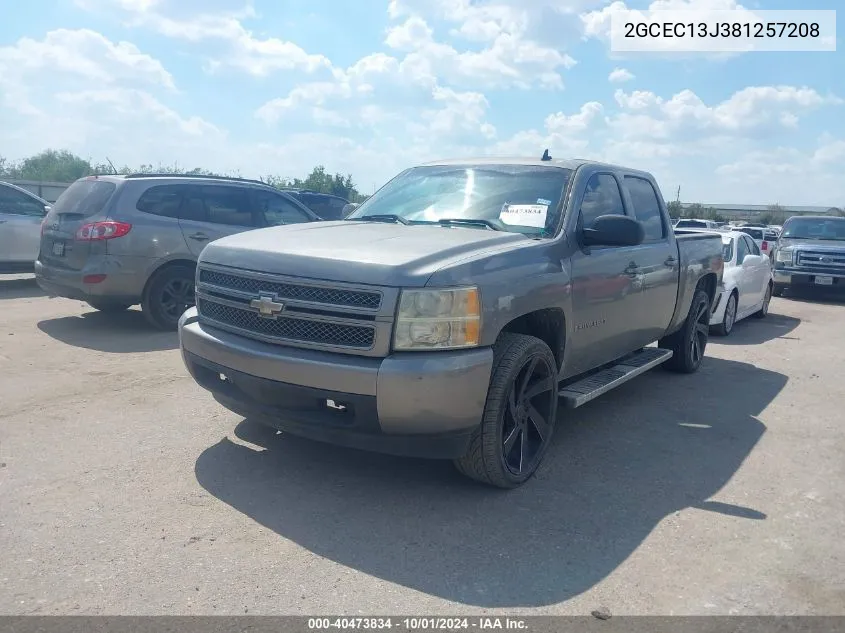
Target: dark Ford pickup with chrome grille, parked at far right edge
(810,251)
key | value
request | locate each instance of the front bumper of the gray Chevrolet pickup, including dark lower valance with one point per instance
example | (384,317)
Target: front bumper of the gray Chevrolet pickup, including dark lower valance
(423,404)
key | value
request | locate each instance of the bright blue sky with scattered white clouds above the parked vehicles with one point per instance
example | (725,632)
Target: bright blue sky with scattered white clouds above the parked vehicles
(374,86)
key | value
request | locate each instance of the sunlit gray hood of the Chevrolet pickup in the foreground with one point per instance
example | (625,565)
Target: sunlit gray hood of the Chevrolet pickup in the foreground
(360,252)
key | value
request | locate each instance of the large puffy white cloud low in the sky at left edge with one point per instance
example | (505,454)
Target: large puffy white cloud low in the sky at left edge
(78,89)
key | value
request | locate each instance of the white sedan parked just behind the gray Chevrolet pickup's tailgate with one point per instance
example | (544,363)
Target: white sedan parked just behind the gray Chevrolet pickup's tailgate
(747,283)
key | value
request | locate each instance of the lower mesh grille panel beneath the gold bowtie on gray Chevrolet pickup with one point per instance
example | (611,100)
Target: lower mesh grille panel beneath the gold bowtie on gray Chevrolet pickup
(292,329)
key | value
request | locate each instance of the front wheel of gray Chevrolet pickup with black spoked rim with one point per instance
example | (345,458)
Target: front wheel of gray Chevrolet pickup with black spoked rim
(519,415)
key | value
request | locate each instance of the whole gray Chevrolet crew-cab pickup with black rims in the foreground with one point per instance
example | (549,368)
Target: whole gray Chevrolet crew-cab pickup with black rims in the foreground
(450,314)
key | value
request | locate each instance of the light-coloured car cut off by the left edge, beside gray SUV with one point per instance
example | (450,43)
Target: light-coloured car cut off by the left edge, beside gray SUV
(21,214)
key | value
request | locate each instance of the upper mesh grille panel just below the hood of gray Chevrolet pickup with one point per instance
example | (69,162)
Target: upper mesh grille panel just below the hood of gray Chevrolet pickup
(312,294)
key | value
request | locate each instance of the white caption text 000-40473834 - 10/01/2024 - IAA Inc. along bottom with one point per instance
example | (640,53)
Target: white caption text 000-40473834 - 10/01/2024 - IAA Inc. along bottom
(416,623)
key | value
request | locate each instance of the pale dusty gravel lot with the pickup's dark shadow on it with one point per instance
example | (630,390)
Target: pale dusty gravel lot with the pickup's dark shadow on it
(125,489)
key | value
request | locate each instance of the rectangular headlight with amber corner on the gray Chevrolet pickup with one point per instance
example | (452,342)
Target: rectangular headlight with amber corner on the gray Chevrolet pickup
(438,319)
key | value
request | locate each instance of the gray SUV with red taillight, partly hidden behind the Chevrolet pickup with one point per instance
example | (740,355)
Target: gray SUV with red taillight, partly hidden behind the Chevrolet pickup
(118,241)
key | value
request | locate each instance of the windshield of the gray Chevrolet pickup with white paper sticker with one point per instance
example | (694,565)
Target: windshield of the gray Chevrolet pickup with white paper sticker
(517,198)
